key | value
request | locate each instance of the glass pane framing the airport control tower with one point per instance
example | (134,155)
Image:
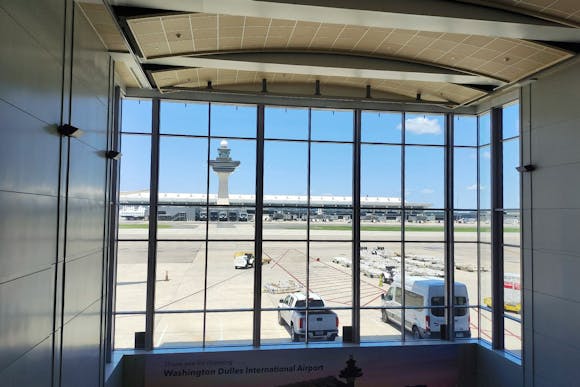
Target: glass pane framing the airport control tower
(232,172)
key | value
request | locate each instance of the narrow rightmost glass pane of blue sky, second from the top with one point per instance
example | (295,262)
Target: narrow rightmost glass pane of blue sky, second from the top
(511,177)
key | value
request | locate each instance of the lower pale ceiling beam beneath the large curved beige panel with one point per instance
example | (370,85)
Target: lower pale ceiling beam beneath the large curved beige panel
(323,64)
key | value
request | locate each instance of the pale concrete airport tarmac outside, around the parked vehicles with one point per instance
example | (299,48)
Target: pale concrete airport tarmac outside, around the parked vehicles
(182,277)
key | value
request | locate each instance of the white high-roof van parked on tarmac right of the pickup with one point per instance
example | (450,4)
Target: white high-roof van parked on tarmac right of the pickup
(426,294)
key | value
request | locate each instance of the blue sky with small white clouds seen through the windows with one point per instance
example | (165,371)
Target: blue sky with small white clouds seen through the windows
(183,160)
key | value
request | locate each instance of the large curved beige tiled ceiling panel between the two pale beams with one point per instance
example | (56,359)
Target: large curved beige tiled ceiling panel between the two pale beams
(507,59)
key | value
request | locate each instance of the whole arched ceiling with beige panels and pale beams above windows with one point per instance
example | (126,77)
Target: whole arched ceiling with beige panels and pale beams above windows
(282,47)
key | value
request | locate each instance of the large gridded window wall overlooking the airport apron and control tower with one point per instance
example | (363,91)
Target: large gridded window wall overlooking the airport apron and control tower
(343,205)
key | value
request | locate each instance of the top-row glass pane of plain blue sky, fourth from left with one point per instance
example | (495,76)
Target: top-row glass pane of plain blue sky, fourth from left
(286,123)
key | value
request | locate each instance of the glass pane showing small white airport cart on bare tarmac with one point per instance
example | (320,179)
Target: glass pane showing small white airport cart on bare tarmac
(230,275)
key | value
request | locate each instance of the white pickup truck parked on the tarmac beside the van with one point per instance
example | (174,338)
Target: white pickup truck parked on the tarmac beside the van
(322,324)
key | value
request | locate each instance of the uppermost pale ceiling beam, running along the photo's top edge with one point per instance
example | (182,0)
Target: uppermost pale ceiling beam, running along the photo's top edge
(423,15)
